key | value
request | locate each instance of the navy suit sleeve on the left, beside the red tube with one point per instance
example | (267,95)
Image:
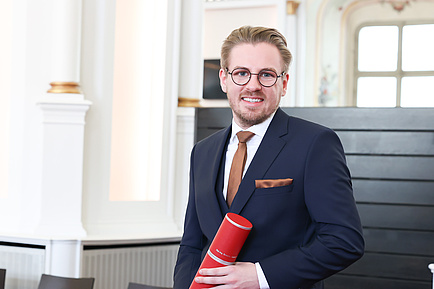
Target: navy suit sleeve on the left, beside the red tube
(190,250)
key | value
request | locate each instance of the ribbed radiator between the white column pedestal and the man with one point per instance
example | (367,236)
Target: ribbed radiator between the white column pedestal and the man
(114,268)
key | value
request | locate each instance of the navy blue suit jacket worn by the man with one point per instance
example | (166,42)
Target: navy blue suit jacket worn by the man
(303,232)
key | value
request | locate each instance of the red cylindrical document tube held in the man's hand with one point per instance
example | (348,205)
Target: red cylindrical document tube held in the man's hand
(226,245)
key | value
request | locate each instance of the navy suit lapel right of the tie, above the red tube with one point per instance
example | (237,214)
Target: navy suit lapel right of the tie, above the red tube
(269,149)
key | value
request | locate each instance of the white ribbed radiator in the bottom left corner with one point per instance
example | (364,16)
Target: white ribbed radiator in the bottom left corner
(24,266)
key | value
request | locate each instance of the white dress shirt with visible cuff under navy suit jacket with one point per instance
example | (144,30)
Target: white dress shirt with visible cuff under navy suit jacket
(252,146)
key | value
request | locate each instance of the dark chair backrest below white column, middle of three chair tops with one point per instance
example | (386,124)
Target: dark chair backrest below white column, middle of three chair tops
(56,282)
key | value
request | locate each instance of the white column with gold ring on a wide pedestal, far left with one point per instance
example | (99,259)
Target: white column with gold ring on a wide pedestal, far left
(64,109)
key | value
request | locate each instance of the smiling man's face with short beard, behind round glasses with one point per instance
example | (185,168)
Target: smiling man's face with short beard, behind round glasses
(253,103)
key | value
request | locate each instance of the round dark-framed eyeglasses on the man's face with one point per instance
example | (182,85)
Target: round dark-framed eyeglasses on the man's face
(266,77)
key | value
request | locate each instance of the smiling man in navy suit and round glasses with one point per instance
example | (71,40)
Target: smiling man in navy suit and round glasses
(305,223)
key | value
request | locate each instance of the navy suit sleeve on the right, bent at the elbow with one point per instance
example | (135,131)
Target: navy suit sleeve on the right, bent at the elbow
(338,239)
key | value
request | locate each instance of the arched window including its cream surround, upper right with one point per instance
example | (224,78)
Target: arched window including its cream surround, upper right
(388,55)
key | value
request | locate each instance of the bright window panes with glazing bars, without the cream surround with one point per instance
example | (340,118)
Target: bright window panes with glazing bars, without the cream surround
(394,65)
